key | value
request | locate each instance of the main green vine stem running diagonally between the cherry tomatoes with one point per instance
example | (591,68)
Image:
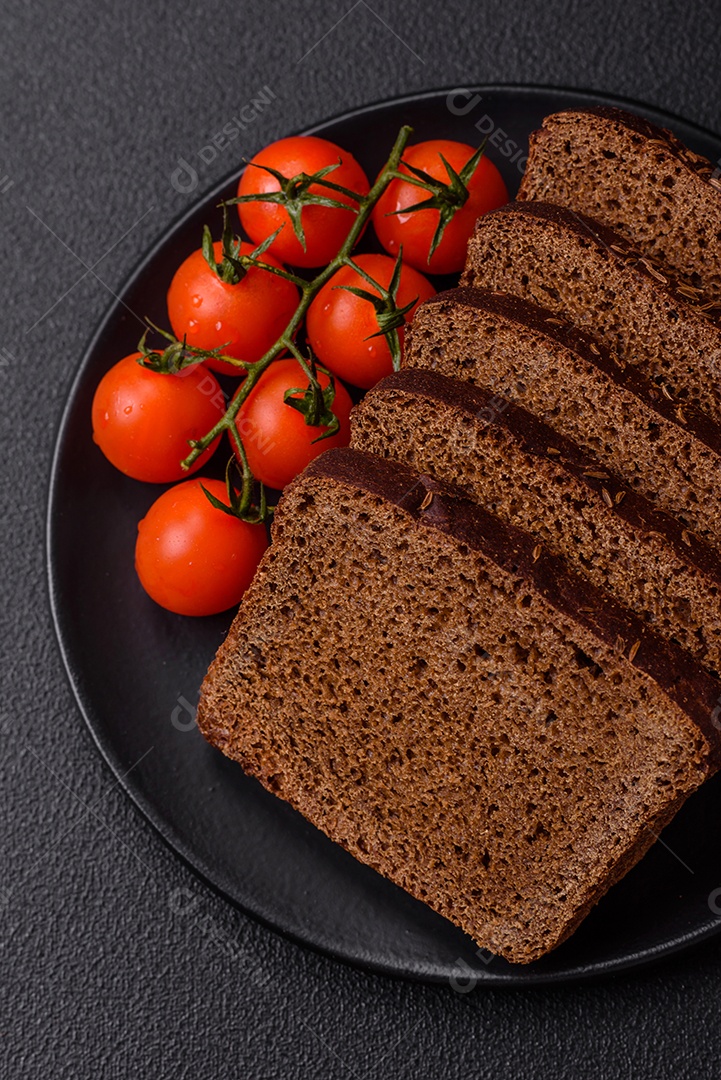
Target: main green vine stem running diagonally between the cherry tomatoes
(308,293)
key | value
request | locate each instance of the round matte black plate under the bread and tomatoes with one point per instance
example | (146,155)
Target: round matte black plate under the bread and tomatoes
(137,669)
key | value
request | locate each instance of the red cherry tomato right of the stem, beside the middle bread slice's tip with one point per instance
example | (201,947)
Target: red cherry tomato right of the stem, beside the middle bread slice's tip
(341,325)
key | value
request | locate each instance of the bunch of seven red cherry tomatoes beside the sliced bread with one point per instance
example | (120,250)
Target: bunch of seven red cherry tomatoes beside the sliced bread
(192,558)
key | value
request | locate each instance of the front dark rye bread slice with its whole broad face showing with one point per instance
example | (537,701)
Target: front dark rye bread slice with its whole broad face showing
(440,696)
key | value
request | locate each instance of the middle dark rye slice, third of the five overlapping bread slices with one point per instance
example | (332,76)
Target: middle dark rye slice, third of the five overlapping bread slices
(573,384)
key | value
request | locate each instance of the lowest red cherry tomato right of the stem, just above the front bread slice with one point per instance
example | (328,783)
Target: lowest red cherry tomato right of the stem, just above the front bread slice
(278,442)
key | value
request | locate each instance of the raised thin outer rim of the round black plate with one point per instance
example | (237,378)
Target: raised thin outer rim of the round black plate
(520,977)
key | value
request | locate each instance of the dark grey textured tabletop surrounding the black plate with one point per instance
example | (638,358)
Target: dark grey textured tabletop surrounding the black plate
(117,962)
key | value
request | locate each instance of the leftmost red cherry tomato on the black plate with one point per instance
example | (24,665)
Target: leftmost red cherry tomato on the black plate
(143,422)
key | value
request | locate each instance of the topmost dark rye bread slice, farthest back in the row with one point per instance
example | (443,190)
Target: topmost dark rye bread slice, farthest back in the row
(636,179)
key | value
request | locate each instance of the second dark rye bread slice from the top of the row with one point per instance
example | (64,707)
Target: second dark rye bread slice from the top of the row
(575,266)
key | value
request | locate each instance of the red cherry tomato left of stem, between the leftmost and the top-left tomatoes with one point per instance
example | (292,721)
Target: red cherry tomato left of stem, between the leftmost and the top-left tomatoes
(246,319)
